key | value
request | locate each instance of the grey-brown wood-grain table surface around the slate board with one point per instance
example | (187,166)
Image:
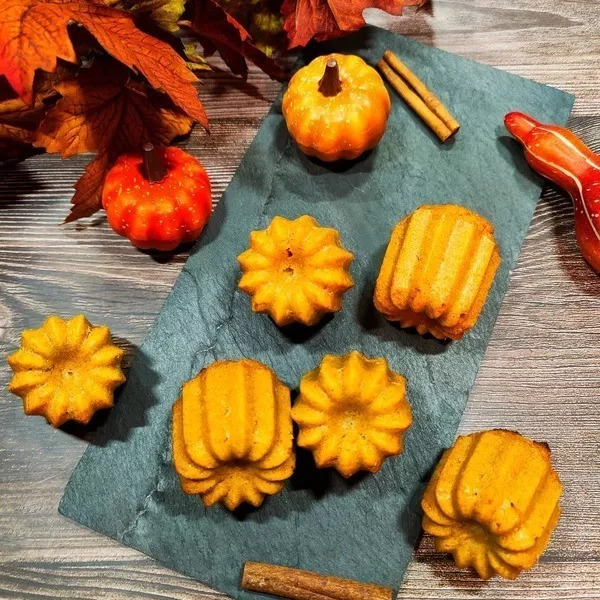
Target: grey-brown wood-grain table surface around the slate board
(541,374)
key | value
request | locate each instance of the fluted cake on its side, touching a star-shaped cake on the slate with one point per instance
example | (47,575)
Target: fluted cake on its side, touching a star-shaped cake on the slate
(232,434)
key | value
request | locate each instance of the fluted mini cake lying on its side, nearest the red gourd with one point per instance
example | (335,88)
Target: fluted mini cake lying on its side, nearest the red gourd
(437,270)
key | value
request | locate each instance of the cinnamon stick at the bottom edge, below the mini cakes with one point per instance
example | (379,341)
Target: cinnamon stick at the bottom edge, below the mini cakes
(296,584)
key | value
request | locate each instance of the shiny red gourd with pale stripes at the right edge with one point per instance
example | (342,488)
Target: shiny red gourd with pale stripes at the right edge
(556,153)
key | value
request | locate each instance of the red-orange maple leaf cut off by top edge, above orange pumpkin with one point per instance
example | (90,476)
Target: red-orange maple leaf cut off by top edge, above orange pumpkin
(325,19)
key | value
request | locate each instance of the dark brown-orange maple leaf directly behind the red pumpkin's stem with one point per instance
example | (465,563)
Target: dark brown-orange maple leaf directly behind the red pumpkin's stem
(103,110)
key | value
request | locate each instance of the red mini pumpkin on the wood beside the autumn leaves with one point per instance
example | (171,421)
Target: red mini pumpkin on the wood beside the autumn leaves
(158,199)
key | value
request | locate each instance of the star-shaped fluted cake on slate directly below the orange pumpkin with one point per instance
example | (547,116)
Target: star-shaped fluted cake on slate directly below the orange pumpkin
(295,271)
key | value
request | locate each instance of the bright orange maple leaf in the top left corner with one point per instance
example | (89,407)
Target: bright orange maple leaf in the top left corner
(33,34)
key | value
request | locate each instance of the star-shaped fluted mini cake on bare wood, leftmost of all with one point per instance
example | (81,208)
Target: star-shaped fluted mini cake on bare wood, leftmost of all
(66,370)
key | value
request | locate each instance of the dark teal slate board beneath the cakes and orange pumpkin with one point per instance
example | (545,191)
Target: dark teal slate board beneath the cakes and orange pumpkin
(365,528)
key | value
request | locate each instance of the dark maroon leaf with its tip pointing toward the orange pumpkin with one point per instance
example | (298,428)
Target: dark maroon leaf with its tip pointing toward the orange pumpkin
(217,30)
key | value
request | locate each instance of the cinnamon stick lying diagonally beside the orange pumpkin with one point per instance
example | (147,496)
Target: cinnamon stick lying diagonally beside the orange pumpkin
(418,96)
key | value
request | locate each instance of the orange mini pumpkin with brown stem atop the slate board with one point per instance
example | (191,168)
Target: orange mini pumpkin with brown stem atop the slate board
(336,107)
